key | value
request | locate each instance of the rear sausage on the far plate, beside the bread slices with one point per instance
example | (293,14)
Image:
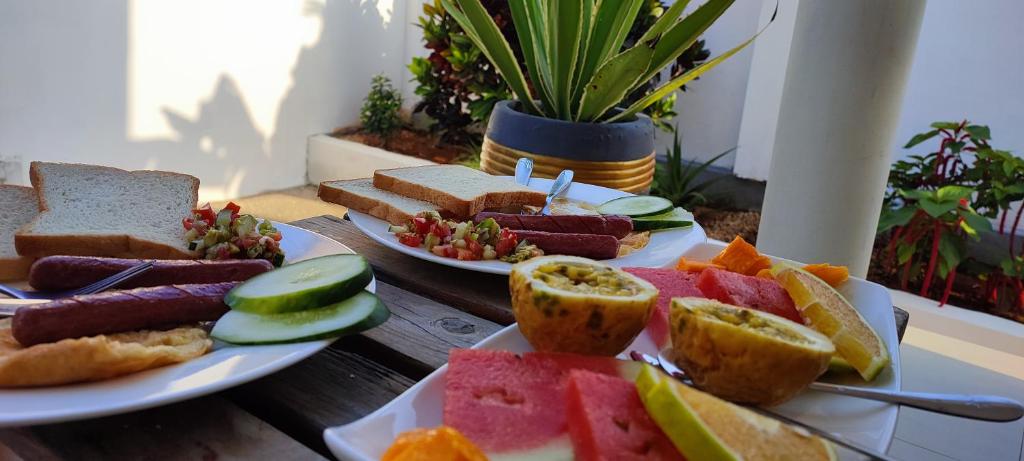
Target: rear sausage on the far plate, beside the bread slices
(618,227)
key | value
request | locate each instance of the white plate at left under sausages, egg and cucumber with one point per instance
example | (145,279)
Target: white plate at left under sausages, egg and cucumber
(225,367)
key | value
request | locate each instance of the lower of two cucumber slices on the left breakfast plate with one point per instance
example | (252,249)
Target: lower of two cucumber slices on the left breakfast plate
(363,312)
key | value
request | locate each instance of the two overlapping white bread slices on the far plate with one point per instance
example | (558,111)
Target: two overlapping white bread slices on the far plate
(454,191)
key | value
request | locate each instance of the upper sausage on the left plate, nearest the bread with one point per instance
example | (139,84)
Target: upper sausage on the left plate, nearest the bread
(68,273)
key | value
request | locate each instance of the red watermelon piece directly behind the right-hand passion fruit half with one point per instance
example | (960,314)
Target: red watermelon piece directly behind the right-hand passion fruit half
(748,291)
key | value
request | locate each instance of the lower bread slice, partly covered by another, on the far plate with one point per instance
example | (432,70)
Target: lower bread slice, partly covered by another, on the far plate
(360,195)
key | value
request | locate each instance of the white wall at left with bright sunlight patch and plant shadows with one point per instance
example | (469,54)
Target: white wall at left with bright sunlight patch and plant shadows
(227,91)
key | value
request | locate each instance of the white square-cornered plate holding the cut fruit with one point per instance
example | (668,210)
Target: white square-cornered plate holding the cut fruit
(869,424)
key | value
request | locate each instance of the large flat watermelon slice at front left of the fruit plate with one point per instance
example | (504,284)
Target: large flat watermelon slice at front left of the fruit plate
(515,407)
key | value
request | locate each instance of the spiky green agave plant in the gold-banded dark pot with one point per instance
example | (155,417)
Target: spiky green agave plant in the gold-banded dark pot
(571,49)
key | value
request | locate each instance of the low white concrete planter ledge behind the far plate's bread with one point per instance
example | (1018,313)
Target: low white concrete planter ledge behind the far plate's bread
(331,159)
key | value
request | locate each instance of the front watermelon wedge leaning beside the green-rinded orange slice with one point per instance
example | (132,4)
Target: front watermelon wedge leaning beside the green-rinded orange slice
(608,422)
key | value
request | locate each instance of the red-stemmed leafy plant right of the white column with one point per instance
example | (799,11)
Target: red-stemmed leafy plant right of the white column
(937,202)
